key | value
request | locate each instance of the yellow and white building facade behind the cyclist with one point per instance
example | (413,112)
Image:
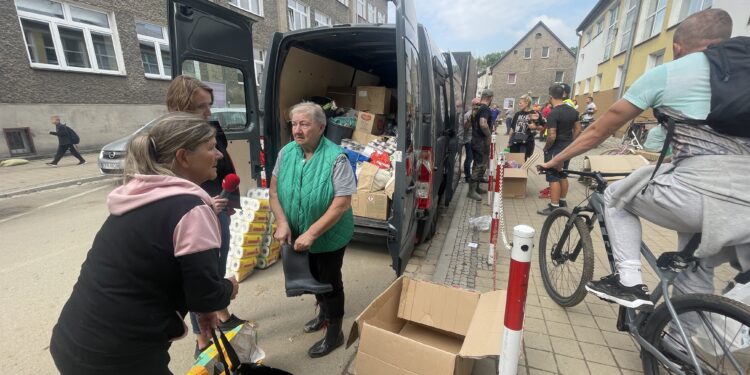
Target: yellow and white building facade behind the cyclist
(621,40)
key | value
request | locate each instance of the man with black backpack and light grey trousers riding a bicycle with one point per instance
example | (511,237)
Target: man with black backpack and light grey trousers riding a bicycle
(703,94)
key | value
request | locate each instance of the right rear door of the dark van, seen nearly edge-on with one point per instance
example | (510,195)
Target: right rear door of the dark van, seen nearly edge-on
(404,220)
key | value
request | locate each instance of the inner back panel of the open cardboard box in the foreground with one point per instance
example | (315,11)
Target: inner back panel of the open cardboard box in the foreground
(437,306)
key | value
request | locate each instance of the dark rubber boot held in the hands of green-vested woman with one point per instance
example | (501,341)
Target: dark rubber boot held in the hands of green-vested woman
(297,277)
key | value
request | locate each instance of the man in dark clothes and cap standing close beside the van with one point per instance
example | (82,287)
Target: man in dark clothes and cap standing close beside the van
(480,143)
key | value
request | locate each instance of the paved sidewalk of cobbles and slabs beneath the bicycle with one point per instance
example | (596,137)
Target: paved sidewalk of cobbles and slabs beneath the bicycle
(579,340)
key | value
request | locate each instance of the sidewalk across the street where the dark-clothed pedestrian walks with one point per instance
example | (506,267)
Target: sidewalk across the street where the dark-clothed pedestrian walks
(37,176)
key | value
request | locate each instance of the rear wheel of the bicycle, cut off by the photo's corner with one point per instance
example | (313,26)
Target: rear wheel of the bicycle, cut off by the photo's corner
(718,329)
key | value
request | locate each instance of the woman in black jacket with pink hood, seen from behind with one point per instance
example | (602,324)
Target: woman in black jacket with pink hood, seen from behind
(153,260)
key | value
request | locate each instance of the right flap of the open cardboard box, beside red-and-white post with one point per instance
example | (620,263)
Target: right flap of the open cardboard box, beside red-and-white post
(486,330)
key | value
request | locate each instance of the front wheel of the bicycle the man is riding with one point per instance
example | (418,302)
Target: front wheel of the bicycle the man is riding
(566,266)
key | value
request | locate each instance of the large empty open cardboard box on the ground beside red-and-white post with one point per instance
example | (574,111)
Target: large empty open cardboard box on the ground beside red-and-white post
(416,327)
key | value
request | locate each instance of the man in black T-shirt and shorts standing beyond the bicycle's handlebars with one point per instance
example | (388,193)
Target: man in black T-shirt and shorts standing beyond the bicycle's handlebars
(562,128)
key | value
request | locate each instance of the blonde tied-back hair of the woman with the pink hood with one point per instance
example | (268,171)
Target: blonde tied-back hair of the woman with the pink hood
(153,152)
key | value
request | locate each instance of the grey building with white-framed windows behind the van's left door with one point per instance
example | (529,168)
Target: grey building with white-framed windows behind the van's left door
(104,66)
